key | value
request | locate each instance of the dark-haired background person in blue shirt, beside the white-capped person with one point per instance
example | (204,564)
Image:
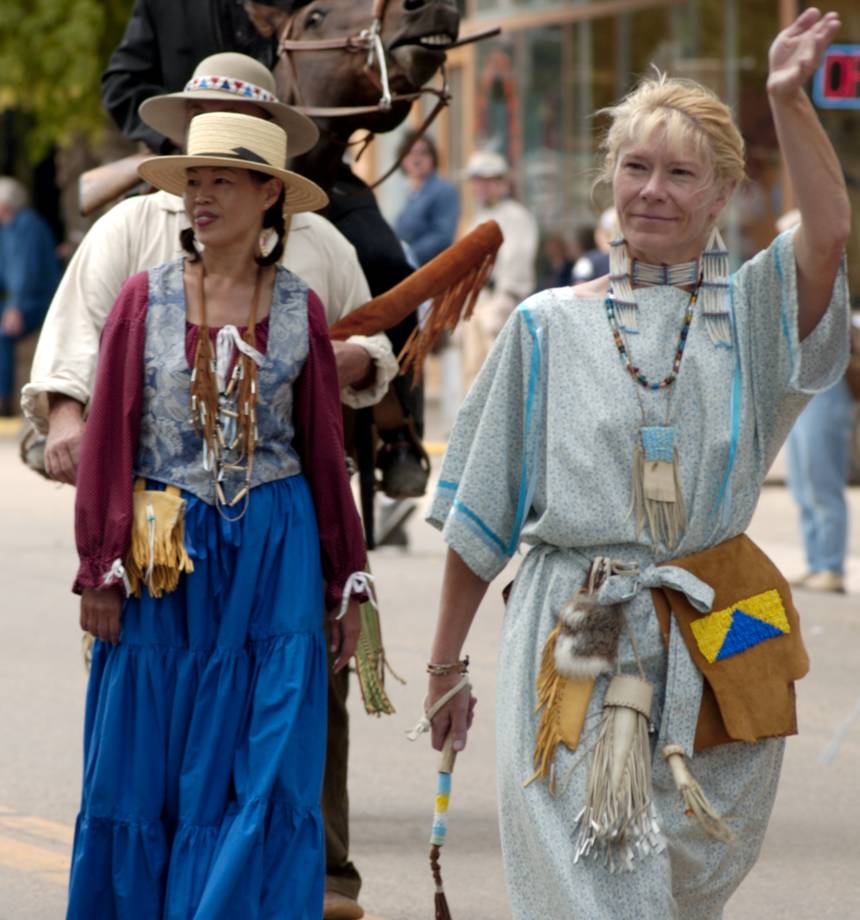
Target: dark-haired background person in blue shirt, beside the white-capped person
(428,221)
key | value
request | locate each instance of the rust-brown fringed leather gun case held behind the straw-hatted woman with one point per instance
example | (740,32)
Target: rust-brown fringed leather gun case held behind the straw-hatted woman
(451,281)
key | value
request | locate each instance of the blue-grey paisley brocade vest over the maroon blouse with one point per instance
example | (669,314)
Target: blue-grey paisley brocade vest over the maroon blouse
(169,450)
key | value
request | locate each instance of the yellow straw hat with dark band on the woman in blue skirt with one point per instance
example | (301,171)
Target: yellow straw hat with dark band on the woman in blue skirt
(237,142)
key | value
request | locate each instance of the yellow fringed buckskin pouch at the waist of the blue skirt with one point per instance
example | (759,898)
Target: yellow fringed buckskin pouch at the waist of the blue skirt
(157,555)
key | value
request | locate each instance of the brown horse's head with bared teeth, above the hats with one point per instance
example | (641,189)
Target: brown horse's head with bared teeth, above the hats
(413,33)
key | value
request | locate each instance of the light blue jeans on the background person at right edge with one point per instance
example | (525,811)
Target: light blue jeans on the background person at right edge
(817,471)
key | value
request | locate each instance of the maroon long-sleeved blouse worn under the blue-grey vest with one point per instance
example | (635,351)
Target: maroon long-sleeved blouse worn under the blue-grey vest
(103,505)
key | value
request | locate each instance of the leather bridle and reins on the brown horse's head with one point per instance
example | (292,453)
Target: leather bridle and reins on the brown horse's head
(369,41)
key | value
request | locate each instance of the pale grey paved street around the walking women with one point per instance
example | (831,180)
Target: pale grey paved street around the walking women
(808,869)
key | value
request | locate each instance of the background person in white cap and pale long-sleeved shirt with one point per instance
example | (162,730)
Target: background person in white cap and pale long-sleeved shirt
(513,276)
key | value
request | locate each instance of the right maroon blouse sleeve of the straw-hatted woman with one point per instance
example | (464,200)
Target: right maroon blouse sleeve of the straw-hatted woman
(319,442)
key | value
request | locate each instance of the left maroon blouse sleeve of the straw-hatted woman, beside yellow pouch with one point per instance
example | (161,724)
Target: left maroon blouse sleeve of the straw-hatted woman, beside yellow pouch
(103,503)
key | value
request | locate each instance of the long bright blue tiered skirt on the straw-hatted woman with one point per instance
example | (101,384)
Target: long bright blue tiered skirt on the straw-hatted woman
(205,731)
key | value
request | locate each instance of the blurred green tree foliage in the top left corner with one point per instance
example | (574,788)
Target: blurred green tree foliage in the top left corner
(52,53)
